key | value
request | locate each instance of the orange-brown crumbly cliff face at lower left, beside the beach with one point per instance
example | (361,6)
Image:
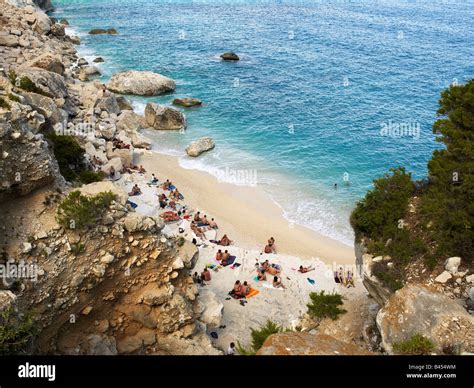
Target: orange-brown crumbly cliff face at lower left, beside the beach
(117,288)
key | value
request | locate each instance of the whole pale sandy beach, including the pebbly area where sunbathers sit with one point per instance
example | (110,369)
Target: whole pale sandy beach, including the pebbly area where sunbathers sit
(249,218)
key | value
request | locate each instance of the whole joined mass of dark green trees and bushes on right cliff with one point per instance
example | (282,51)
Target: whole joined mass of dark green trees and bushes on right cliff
(443,223)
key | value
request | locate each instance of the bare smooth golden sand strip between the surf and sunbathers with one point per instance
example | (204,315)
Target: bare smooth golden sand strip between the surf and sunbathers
(246,214)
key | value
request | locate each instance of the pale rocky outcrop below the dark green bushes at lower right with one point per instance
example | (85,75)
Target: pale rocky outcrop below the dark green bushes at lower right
(432,307)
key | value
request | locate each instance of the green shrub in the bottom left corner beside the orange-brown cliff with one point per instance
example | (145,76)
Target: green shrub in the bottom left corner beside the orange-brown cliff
(15,332)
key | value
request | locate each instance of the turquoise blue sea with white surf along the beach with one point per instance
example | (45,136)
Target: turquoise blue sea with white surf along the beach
(326,91)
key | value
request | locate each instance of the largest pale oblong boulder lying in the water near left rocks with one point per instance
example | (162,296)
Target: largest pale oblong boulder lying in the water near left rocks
(143,83)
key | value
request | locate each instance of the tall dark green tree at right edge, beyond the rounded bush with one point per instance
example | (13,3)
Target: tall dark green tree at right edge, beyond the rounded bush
(449,199)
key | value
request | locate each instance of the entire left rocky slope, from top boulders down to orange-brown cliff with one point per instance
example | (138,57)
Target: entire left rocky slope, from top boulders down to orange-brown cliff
(120,287)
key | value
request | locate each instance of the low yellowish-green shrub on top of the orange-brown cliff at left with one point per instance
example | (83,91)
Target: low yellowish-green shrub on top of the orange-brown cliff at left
(78,211)
